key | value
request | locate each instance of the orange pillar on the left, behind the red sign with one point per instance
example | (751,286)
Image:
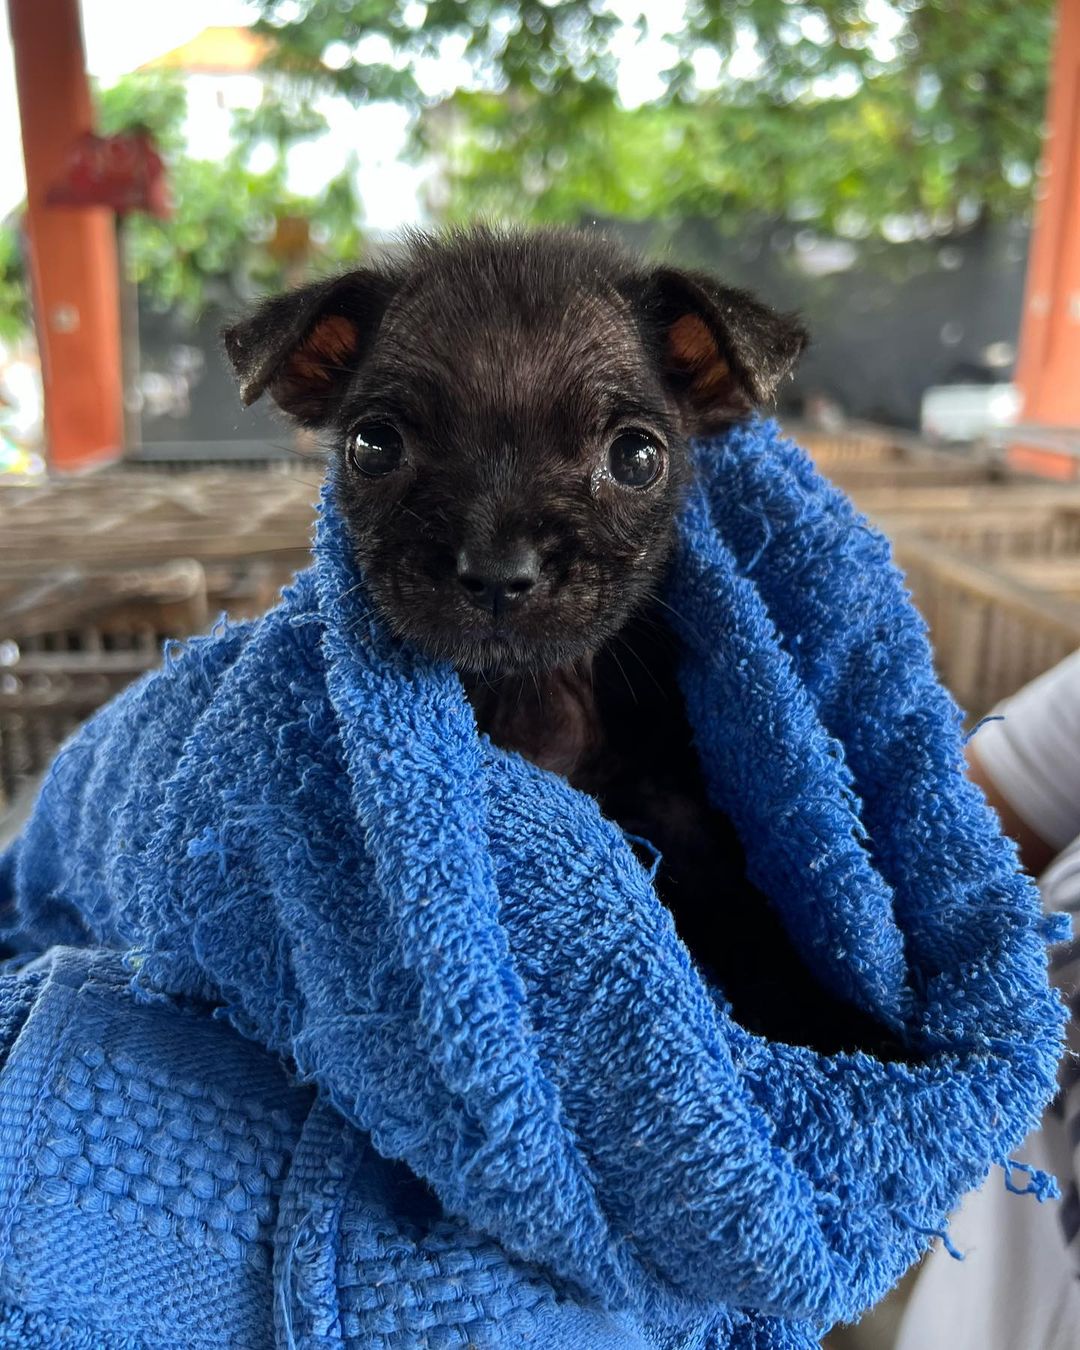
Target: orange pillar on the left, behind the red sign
(72,252)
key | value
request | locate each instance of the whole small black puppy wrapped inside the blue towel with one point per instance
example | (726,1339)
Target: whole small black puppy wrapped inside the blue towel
(514,412)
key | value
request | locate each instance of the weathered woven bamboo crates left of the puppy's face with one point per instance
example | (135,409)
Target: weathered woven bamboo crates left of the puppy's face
(98,573)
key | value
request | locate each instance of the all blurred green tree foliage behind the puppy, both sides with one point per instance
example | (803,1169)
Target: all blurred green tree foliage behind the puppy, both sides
(862,117)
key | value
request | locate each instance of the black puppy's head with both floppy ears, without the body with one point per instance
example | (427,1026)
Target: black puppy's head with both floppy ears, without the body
(512,414)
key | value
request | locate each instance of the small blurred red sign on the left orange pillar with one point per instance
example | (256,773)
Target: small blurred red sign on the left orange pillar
(125,173)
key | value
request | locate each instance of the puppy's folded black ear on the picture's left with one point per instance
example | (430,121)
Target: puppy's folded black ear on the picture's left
(304,346)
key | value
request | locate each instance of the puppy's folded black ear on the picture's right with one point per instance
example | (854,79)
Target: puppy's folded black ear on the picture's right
(723,350)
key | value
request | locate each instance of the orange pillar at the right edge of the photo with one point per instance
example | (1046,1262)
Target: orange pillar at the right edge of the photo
(1048,371)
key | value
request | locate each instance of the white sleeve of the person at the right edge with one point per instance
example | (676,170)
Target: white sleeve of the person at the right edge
(1033,754)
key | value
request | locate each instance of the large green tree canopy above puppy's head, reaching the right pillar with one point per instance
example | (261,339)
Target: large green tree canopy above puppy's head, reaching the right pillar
(851,114)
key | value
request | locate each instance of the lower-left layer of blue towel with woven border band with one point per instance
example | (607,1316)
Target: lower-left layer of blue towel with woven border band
(165,1183)
